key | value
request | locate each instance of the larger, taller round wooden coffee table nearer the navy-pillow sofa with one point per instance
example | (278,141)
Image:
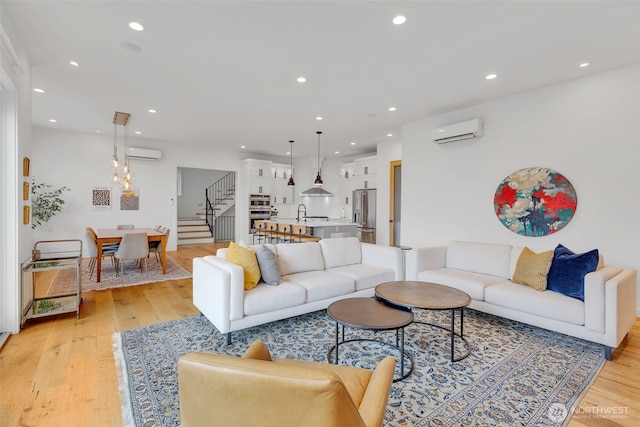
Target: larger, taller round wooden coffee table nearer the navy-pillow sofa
(429,296)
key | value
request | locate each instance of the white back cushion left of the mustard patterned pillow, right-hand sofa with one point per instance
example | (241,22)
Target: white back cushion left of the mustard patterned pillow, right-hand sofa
(484,258)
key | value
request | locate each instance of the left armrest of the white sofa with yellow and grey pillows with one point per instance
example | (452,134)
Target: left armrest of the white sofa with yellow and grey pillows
(218,290)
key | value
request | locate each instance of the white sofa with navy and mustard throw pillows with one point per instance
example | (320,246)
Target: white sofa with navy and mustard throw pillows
(483,270)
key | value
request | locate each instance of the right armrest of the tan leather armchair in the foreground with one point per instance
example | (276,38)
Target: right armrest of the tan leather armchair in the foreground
(374,401)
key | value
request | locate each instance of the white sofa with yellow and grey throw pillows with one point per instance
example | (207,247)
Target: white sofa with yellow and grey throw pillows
(314,274)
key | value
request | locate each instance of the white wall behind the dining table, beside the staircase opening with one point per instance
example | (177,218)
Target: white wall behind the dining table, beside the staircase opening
(81,162)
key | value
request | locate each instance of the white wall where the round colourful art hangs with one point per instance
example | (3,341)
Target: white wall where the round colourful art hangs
(586,129)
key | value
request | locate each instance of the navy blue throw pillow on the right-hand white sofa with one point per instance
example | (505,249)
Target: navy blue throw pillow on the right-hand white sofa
(568,269)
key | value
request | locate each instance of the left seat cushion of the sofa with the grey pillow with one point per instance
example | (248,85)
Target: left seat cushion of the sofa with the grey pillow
(264,298)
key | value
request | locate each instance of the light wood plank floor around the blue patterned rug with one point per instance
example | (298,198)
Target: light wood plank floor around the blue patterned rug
(60,371)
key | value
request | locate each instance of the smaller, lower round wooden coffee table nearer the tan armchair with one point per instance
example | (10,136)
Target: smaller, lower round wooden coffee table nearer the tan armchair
(374,315)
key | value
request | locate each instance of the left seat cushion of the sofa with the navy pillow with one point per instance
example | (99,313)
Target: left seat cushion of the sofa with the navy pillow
(473,284)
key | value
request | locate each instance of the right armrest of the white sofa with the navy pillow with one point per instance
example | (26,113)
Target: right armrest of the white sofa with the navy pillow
(620,311)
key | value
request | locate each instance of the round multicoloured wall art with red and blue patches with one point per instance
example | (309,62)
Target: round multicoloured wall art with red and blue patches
(535,201)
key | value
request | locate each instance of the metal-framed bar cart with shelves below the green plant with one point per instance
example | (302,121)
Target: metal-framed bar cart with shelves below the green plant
(50,255)
